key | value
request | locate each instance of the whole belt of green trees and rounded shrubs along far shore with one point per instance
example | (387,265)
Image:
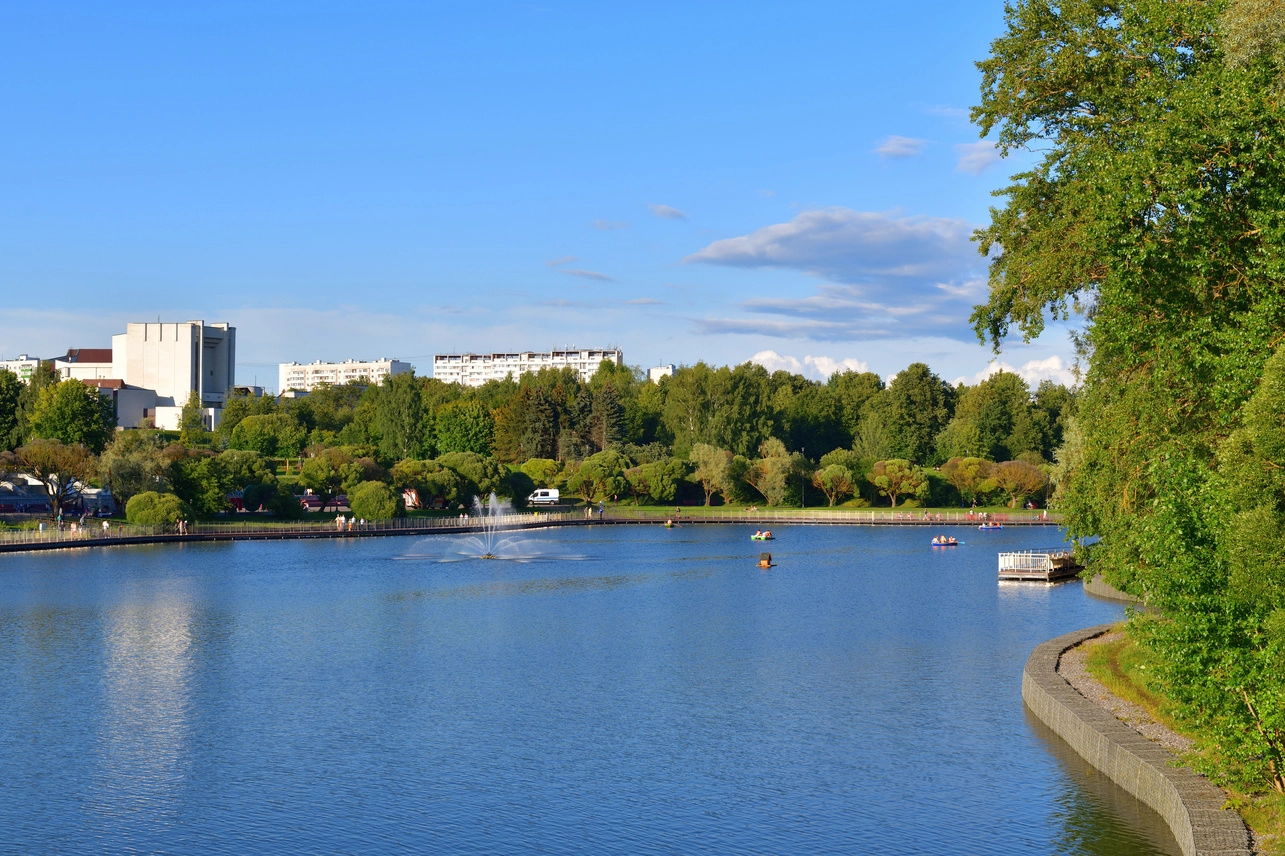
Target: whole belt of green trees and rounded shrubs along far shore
(705,435)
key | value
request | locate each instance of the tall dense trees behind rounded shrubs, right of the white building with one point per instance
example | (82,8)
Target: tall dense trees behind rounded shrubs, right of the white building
(553,415)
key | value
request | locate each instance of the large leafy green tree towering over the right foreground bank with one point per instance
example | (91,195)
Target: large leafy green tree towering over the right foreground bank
(1156,205)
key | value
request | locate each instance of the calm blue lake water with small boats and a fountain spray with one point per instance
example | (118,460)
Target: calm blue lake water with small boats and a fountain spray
(659,696)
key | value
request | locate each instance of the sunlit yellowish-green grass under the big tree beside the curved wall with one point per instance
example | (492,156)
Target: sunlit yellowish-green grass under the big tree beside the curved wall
(1128,670)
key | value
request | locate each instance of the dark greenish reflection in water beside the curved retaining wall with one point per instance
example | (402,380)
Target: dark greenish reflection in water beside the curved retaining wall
(1097,816)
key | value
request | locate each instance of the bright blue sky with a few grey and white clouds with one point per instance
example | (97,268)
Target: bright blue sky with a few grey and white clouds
(788,183)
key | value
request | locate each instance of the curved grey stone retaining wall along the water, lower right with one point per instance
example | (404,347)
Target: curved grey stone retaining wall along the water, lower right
(1189,804)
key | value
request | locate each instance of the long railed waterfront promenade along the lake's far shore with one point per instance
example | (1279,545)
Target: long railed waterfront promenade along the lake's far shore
(256,530)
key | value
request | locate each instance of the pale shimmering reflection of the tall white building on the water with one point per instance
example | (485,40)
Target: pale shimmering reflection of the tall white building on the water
(147,700)
